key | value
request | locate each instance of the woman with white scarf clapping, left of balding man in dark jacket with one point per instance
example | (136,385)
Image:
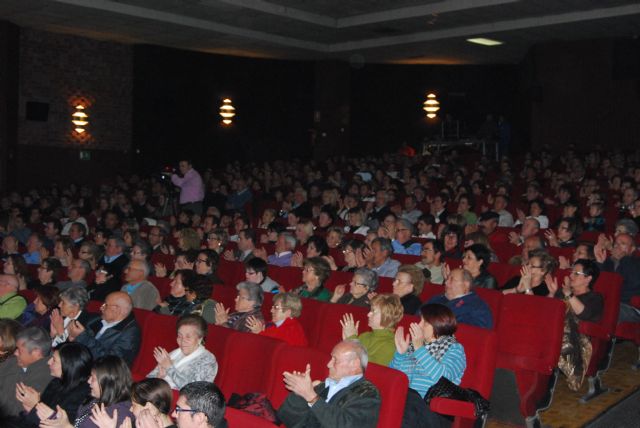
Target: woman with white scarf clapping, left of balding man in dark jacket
(71,309)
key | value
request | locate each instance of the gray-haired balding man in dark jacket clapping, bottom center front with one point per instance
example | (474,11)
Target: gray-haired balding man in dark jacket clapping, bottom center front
(344,399)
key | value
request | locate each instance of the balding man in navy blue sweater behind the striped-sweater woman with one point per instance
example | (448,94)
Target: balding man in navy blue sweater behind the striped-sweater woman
(465,304)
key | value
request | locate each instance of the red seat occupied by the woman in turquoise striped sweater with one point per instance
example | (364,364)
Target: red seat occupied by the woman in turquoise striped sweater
(480,346)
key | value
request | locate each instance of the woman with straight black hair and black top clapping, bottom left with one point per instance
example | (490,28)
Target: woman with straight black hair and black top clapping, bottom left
(70,367)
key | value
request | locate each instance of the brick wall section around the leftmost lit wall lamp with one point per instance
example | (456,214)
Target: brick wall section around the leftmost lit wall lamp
(64,70)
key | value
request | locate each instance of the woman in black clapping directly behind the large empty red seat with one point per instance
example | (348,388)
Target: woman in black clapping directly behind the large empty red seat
(532,275)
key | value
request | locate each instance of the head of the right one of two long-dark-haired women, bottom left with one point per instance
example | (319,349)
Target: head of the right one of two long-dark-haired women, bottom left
(114,377)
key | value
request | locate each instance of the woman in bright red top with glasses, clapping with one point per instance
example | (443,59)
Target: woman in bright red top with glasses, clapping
(284,325)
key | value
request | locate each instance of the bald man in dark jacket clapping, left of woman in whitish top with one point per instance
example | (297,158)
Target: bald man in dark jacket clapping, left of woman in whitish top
(117,334)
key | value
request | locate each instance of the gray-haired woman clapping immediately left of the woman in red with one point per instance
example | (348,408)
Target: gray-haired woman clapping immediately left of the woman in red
(248,303)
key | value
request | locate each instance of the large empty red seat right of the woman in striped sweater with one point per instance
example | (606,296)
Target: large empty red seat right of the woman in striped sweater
(529,339)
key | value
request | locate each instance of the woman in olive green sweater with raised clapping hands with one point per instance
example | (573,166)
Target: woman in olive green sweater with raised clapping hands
(386,312)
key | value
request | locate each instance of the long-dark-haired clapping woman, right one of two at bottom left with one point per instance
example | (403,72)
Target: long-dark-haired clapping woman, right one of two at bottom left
(110,386)
